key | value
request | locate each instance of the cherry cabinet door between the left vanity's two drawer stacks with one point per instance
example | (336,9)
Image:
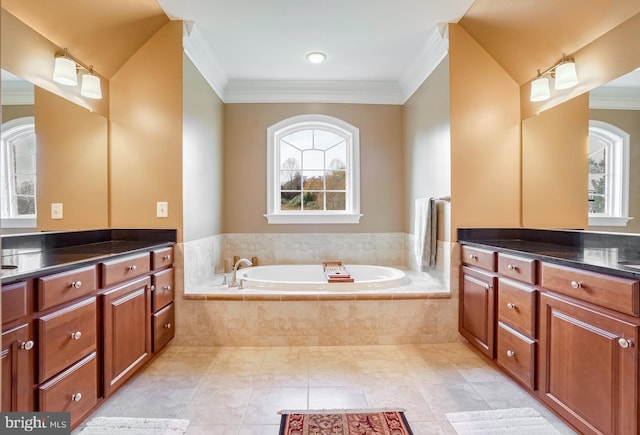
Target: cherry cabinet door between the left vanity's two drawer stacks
(127,331)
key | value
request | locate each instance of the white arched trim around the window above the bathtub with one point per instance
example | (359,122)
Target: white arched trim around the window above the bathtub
(352,214)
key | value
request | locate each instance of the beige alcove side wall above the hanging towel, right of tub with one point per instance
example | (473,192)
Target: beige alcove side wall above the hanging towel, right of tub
(427,145)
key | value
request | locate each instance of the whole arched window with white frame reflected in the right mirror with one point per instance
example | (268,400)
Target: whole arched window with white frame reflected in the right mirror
(608,175)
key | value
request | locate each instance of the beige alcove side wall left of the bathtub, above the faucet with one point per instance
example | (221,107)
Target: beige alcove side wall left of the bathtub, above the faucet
(202,146)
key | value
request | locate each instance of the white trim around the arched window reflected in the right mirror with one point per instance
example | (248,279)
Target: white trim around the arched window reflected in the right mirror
(618,212)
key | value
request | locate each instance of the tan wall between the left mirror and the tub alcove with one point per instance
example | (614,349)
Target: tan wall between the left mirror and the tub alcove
(146,134)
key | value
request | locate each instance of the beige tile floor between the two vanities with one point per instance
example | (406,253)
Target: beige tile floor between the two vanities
(238,390)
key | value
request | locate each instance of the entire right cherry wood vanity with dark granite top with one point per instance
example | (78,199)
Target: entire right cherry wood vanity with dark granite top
(558,311)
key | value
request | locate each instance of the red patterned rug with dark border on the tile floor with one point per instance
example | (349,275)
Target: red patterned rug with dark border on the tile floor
(344,422)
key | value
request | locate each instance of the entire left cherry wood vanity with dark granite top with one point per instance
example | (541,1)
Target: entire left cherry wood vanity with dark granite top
(81,312)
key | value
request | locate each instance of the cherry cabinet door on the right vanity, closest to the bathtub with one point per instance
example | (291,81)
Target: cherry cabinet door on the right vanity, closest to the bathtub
(477,309)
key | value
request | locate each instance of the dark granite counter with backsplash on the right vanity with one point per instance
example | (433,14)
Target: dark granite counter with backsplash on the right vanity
(600,252)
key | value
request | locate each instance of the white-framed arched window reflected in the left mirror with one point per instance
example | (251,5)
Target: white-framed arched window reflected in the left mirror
(18,175)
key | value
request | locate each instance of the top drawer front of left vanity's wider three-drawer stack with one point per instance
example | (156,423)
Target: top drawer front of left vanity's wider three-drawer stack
(63,287)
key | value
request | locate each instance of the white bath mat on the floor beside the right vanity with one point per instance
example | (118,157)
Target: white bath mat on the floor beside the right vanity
(522,421)
